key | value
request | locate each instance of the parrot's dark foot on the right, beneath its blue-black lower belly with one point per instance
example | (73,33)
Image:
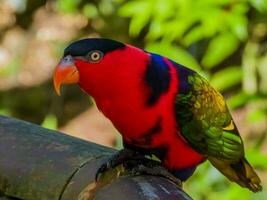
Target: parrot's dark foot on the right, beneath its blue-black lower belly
(156,171)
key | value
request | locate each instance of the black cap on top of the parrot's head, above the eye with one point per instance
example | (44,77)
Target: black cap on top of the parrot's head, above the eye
(84,46)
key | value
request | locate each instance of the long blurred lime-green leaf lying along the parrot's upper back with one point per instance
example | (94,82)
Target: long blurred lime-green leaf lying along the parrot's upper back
(175,53)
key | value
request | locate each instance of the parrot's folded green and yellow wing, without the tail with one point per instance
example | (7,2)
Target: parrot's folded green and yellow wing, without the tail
(205,121)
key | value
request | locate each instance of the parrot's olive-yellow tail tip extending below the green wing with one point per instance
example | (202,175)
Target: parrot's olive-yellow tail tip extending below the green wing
(240,172)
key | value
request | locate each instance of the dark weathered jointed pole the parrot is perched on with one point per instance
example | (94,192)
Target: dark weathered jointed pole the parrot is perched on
(37,163)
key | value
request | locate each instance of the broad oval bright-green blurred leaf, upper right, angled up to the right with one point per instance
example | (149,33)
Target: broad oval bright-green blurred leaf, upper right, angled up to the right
(219,48)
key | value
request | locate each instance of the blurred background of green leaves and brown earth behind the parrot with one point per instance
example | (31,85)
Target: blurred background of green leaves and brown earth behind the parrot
(224,40)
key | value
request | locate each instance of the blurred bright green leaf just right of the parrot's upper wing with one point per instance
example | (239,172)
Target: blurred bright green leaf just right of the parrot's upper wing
(226,78)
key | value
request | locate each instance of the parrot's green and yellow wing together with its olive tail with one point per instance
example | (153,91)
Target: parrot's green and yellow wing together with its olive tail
(208,127)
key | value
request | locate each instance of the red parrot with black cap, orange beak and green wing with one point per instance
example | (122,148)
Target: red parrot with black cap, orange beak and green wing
(159,107)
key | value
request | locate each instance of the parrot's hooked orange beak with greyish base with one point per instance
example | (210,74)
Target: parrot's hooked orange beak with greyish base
(65,73)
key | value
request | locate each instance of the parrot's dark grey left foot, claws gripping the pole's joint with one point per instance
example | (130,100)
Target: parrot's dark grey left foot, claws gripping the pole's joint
(119,158)
